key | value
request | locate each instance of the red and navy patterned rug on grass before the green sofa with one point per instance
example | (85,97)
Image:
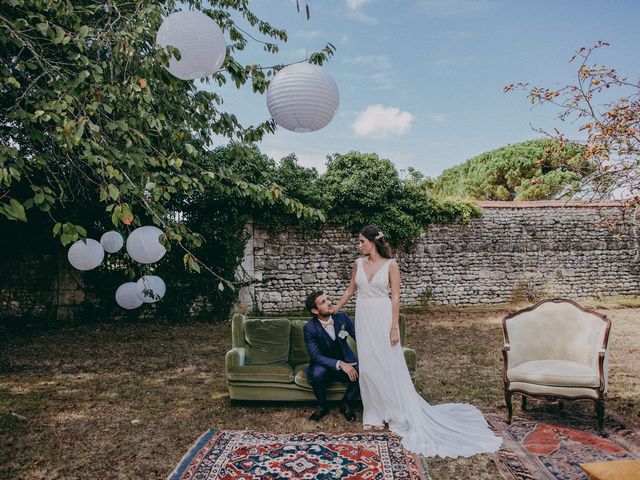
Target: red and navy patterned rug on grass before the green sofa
(249,455)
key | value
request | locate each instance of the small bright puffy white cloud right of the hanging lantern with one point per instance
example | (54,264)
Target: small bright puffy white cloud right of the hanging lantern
(378,121)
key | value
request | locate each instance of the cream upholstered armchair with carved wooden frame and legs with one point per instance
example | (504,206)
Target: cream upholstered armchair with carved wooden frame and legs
(556,350)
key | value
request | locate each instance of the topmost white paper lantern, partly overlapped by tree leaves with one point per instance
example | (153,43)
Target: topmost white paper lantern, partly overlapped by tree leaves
(200,41)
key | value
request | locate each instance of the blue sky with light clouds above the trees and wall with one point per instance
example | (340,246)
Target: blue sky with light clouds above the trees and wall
(421,81)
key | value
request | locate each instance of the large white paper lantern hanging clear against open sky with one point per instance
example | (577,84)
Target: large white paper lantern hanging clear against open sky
(303,98)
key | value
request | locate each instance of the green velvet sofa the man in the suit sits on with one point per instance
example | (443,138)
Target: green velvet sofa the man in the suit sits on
(268,359)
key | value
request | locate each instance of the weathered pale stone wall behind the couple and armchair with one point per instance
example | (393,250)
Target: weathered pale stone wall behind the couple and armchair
(514,250)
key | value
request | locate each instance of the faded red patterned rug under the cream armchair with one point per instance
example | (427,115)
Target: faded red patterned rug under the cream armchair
(550,444)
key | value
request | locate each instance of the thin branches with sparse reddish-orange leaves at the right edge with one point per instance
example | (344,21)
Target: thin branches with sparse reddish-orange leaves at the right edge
(606,107)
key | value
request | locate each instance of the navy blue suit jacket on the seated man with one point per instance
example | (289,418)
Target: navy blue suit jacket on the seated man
(322,349)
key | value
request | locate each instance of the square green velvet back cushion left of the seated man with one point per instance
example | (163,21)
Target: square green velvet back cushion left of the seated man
(267,341)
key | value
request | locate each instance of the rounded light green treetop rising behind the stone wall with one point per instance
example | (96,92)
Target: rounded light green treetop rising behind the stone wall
(532,170)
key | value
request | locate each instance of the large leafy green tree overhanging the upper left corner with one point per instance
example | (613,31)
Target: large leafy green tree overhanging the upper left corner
(90,115)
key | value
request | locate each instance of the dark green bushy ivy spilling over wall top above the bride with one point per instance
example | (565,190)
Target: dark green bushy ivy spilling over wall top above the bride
(361,188)
